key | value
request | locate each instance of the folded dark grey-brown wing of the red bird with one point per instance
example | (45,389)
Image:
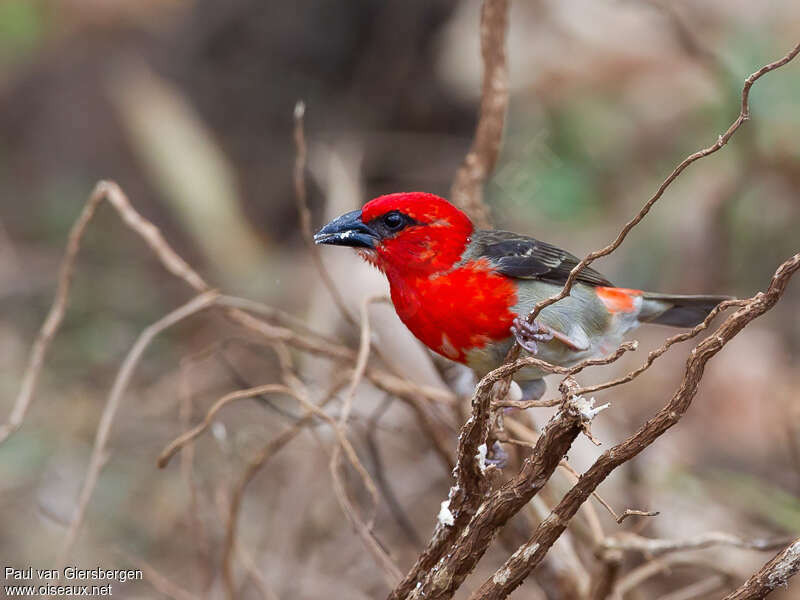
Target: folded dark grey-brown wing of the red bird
(523,257)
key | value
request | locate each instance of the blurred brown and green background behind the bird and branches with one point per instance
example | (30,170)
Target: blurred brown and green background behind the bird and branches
(188,106)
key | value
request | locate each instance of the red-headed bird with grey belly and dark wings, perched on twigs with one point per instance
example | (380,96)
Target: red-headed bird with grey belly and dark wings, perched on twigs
(465,292)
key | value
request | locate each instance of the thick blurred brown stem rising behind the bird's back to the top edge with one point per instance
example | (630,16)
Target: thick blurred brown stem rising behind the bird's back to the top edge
(467,189)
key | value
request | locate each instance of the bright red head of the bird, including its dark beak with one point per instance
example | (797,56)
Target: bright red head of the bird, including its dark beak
(403,233)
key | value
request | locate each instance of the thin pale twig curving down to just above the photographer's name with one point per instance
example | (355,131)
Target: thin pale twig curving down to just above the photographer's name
(98,456)
